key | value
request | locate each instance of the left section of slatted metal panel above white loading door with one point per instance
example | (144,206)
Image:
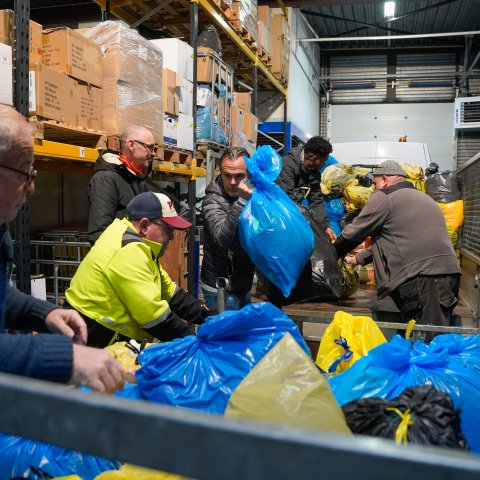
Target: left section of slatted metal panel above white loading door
(354,69)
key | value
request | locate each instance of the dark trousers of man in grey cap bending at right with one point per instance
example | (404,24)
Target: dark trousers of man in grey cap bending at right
(428,299)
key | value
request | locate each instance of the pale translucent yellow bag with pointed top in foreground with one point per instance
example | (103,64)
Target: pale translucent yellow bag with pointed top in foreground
(286,388)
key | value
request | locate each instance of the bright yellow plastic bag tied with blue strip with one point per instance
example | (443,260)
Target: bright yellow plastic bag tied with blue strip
(345,340)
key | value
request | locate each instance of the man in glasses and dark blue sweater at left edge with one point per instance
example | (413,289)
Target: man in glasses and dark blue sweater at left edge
(61,358)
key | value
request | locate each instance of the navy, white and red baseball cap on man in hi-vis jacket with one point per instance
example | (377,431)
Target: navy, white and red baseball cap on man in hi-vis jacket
(156,205)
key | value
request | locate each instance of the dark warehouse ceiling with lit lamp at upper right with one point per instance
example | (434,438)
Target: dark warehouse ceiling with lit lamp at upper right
(361,20)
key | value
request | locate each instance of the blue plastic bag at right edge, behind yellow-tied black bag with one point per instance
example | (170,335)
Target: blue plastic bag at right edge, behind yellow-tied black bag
(392,367)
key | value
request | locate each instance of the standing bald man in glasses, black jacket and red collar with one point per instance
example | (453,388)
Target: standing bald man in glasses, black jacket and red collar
(117,178)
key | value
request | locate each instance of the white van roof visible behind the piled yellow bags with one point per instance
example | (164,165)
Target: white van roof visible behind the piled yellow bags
(373,153)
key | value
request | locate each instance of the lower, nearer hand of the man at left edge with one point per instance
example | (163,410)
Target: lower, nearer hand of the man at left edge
(97,369)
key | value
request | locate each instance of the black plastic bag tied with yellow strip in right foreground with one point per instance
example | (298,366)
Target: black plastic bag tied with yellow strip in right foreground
(435,420)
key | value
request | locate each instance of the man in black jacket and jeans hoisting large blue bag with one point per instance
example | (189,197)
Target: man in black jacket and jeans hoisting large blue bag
(222,254)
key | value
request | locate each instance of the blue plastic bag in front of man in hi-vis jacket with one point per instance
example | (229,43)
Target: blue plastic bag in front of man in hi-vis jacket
(200,372)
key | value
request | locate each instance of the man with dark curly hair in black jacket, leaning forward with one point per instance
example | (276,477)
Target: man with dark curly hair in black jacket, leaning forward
(300,178)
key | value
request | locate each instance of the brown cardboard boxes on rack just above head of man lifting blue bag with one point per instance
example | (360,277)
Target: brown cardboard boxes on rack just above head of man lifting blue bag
(244,122)
